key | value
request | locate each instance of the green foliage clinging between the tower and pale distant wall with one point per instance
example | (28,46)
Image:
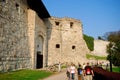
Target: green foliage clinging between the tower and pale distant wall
(89,41)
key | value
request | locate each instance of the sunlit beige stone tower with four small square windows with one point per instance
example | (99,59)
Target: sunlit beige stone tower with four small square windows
(65,41)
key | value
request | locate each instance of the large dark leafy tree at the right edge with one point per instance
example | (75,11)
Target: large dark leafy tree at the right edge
(113,48)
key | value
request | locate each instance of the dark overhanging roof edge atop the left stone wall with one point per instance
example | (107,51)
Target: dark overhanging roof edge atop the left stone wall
(38,6)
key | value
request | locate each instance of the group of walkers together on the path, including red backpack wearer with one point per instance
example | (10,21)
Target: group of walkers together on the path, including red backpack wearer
(84,72)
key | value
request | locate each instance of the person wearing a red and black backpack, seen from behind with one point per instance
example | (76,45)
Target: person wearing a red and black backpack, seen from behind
(88,72)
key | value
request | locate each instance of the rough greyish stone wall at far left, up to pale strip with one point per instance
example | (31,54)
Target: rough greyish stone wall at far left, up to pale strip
(14,50)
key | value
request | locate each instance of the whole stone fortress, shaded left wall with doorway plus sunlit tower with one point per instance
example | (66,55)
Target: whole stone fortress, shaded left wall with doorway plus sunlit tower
(27,41)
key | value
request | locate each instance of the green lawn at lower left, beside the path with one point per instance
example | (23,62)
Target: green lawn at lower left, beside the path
(25,75)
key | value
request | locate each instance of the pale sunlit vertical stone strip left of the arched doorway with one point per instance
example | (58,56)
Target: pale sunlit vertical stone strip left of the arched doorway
(31,36)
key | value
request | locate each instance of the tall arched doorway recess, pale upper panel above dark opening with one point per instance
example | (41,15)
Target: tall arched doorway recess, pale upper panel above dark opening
(39,54)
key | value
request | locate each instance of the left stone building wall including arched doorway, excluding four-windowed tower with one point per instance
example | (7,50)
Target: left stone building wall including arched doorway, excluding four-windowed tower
(22,36)
